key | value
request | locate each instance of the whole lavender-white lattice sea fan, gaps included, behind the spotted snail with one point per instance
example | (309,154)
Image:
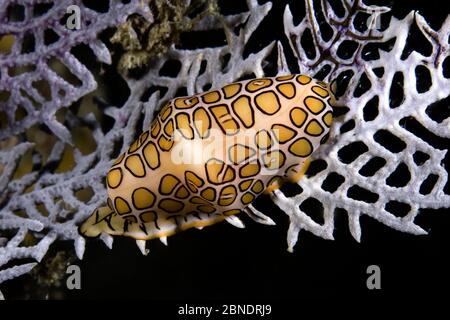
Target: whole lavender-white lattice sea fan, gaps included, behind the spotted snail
(385,157)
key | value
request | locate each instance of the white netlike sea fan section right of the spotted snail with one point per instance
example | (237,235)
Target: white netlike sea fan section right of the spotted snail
(380,138)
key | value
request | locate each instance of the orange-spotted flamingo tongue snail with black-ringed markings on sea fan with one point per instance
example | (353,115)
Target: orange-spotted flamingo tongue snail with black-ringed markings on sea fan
(206,157)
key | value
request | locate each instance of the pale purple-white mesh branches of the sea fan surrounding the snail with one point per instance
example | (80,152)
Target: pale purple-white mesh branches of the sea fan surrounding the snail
(21,198)
